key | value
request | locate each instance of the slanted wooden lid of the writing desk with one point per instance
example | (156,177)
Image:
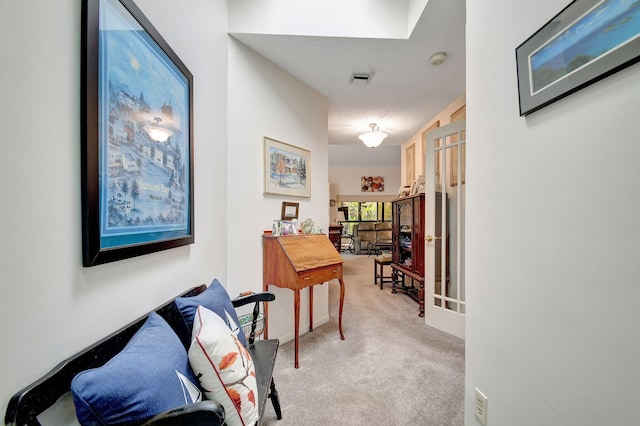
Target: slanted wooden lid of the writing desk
(307,251)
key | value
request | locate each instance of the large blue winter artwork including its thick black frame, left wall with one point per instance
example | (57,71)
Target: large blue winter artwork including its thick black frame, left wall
(137,138)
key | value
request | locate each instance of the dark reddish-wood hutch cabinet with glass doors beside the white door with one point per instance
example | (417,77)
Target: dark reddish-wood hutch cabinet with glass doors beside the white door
(407,247)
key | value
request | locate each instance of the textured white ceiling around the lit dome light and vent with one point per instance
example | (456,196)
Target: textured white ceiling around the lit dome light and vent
(404,93)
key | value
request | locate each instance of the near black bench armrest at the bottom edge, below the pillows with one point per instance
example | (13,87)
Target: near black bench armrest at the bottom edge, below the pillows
(202,413)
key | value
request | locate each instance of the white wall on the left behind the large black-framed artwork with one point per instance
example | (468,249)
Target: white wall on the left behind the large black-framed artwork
(51,306)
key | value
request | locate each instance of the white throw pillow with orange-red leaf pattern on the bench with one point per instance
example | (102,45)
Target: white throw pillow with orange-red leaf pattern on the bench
(224,368)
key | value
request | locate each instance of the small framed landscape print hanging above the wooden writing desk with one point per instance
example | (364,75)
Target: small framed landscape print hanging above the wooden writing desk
(287,169)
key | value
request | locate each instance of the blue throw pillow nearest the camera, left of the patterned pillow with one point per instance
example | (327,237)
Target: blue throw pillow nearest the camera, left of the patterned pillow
(149,376)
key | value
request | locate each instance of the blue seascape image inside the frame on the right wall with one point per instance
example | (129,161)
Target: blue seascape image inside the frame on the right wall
(608,26)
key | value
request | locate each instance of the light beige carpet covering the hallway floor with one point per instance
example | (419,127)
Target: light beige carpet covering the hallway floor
(391,370)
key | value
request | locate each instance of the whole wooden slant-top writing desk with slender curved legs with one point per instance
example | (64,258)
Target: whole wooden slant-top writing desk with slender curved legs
(296,262)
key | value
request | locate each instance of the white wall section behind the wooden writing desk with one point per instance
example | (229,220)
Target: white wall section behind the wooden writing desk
(266,101)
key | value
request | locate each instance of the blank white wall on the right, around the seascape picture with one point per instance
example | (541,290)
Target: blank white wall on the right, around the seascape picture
(552,236)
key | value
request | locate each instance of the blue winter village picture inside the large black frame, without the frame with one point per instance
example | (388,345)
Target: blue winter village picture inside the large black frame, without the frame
(144,135)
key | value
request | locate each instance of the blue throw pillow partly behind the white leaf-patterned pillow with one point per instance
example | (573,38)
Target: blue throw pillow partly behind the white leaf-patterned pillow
(216,299)
